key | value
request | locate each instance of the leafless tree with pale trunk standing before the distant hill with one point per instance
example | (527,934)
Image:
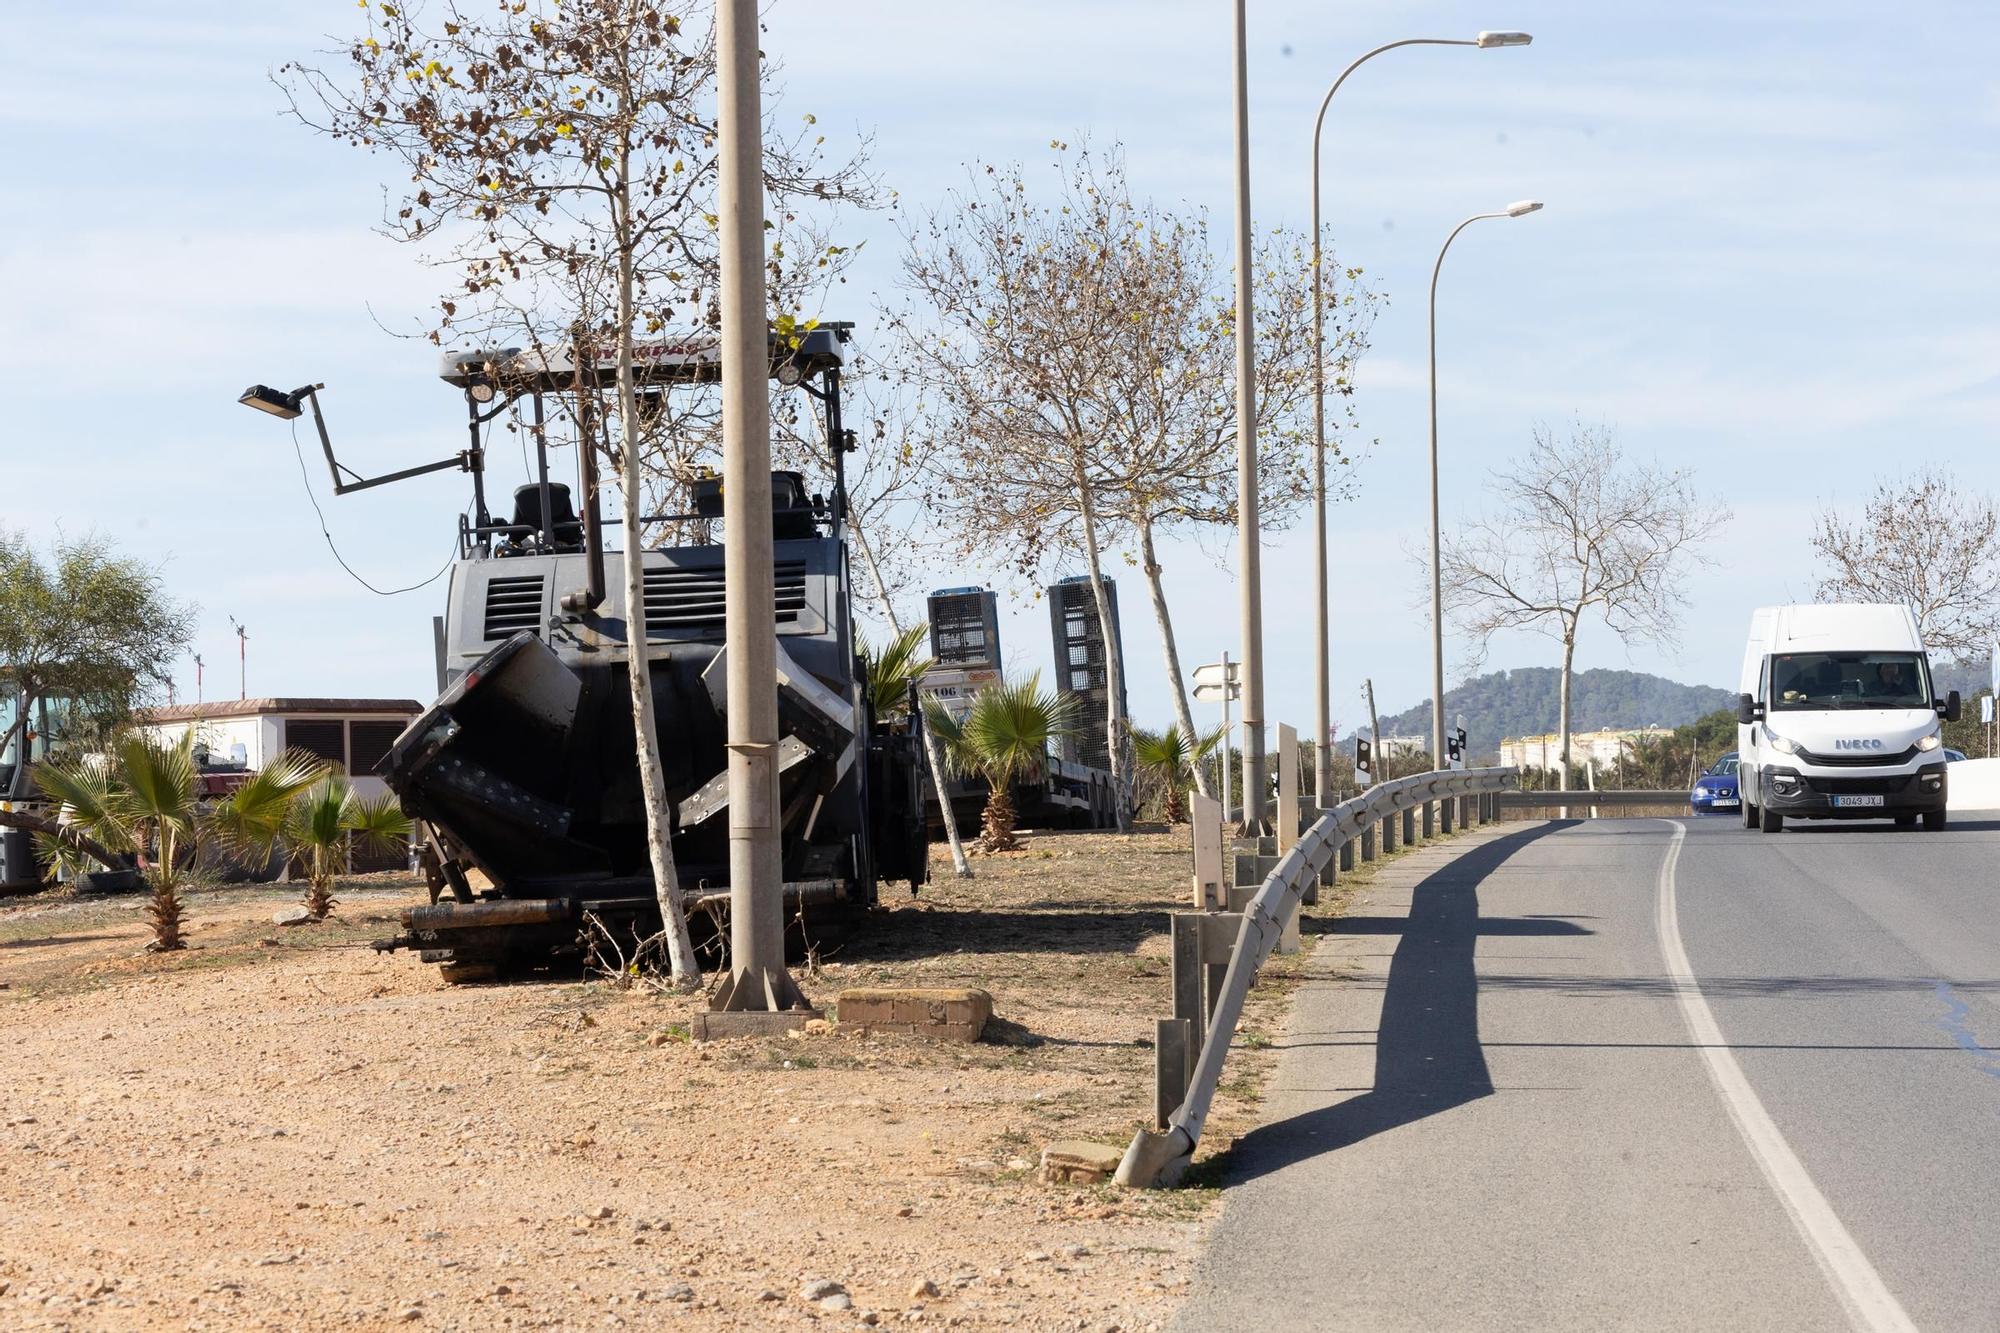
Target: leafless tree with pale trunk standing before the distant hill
(1579,529)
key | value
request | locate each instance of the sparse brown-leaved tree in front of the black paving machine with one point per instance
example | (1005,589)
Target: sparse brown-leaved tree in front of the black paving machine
(563,163)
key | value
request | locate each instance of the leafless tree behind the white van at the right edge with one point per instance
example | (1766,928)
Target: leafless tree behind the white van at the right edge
(1923,543)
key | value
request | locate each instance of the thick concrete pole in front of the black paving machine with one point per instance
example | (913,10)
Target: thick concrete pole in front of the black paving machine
(757,874)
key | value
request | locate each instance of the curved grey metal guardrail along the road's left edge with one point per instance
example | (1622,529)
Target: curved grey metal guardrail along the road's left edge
(1157,1158)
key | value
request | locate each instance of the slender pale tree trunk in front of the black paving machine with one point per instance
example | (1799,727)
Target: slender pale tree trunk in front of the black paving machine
(687,972)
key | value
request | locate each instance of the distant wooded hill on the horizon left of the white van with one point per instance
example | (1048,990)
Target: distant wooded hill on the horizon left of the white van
(1529,702)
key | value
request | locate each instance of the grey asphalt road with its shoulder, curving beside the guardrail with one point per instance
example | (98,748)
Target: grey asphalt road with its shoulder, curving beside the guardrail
(1637,1076)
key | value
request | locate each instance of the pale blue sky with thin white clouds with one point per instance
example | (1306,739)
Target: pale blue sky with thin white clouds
(1765,259)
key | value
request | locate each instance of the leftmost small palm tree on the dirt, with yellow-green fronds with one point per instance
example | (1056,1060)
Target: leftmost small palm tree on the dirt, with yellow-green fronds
(141,800)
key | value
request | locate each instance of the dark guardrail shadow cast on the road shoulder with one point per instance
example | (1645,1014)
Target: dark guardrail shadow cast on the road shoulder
(1429,1056)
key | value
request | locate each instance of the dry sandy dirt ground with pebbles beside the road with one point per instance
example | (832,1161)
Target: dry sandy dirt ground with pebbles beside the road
(281,1128)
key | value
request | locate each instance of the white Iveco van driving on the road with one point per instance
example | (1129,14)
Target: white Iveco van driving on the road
(1837,718)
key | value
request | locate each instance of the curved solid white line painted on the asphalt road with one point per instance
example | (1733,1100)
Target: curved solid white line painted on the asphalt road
(1861,1290)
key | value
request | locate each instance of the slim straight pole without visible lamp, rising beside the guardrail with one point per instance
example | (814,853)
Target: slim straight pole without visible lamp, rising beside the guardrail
(1249,573)
